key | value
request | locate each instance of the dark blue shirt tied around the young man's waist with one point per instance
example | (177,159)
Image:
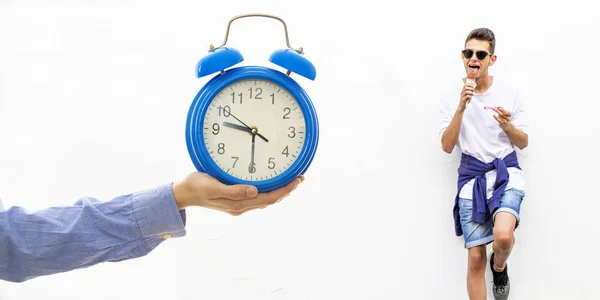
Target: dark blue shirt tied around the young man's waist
(472,168)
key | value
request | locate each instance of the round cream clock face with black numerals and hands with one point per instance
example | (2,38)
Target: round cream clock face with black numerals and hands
(254,129)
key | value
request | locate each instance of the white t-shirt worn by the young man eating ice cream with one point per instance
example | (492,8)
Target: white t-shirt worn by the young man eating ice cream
(480,134)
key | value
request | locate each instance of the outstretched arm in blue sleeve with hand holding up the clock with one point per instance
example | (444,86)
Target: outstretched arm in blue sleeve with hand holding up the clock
(65,238)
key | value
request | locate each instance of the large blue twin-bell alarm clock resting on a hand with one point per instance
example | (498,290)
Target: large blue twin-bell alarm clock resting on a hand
(252,124)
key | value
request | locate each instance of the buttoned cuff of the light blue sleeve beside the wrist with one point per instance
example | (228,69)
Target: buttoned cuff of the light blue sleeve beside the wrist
(157,213)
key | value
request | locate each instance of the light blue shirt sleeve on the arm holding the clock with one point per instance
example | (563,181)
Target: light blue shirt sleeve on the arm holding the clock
(63,238)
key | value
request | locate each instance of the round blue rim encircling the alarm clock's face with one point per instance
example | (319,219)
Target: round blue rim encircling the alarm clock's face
(195,124)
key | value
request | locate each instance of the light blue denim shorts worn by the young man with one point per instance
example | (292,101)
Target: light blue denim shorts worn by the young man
(476,234)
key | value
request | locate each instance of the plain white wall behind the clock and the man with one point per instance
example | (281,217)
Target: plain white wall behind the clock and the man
(93,101)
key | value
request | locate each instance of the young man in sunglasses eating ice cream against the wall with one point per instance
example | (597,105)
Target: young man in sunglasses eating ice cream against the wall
(486,122)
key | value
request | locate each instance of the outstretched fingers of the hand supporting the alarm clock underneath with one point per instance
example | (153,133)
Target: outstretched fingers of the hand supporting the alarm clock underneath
(237,207)
